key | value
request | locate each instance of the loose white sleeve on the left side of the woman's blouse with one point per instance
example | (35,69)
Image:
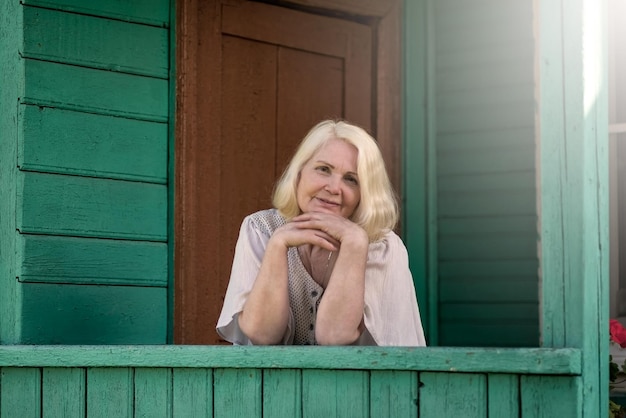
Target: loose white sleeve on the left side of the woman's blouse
(249,251)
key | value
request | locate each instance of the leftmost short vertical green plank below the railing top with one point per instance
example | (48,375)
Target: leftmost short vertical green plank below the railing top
(20,392)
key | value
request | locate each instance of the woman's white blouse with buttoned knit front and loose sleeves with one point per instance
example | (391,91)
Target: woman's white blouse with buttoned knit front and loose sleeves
(391,314)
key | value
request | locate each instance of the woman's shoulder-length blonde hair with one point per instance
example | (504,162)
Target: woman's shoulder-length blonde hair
(377,211)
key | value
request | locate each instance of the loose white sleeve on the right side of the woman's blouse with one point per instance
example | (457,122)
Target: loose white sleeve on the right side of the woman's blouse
(391,312)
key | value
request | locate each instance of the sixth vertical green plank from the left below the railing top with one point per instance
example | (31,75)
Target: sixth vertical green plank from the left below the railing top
(237,393)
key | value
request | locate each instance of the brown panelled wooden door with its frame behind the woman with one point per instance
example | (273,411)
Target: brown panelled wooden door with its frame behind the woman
(262,76)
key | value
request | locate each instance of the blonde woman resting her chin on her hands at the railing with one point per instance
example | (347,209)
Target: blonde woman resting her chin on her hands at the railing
(324,266)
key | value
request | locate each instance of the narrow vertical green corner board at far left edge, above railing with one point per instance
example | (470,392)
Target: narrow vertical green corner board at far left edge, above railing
(12,69)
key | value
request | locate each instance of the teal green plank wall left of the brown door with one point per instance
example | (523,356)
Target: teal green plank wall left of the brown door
(87,131)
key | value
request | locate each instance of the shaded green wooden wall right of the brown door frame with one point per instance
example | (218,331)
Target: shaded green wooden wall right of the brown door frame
(470,185)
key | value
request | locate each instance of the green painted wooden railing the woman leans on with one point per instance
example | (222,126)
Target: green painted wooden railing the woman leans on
(206,381)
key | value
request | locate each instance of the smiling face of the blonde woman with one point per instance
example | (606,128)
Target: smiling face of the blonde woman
(329,182)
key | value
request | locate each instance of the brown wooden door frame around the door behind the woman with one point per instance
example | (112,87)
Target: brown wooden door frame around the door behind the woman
(197,136)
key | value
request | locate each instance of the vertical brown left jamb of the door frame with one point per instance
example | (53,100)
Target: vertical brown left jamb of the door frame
(197,162)
